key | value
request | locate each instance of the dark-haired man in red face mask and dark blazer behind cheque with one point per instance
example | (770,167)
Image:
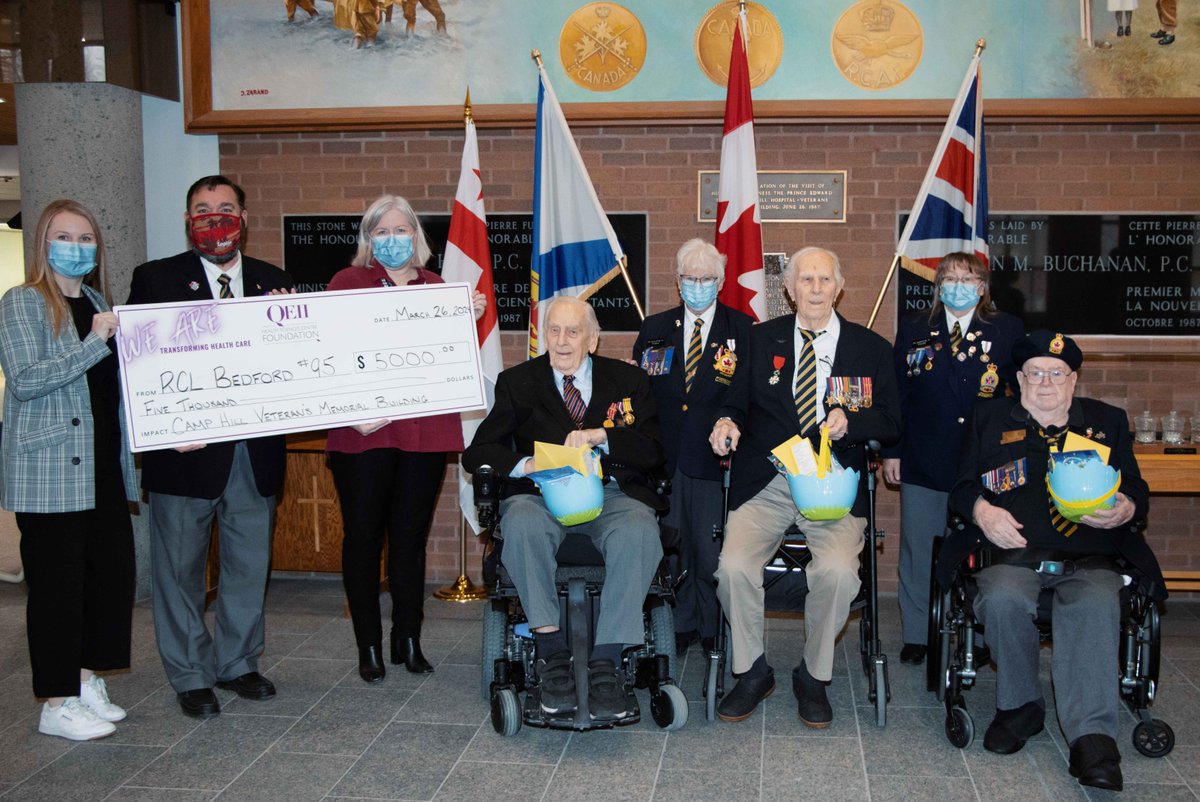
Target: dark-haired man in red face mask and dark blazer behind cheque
(235,482)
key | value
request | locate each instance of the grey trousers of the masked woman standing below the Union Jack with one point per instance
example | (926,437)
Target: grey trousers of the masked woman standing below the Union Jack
(922,520)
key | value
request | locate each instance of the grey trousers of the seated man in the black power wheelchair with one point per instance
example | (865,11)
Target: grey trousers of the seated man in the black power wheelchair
(627,534)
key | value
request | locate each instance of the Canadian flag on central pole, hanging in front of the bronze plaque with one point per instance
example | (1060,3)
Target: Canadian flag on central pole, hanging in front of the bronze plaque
(739,226)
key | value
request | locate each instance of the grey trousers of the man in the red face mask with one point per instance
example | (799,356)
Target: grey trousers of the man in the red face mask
(181,530)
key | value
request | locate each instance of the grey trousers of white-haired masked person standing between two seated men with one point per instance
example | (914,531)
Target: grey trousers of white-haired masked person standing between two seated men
(695,508)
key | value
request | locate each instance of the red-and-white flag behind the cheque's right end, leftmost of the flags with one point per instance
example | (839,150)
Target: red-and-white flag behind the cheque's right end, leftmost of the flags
(469,259)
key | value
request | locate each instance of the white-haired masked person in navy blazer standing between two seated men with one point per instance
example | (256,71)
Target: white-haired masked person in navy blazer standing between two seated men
(689,387)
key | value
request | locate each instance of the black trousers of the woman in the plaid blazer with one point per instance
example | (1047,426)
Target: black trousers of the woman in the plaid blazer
(81,573)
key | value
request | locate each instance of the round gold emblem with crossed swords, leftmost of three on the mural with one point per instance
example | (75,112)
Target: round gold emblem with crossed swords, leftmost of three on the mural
(603,47)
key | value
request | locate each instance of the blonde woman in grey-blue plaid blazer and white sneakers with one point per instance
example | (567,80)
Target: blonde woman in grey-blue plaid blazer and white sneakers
(68,474)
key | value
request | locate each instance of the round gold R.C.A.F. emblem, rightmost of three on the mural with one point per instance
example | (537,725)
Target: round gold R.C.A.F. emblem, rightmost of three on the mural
(878,44)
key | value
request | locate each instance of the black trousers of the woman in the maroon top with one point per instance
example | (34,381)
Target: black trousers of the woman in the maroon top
(386,492)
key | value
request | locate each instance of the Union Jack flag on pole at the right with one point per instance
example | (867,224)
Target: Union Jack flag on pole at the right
(951,212)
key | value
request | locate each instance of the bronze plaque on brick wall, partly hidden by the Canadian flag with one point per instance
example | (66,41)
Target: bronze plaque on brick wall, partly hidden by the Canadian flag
(784,196)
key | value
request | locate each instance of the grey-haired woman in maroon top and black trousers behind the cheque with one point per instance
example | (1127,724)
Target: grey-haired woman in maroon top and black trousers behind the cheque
(388,474)
